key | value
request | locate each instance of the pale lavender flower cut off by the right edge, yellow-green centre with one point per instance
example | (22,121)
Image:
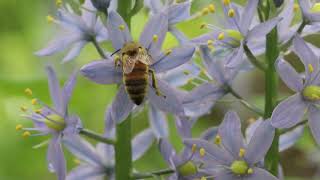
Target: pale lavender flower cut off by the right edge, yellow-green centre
(306,99)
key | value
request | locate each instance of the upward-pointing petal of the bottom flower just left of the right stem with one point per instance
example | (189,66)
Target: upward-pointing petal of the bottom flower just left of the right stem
(230,132)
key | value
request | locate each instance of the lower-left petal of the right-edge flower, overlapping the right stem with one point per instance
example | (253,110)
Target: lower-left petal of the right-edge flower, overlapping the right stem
(289,112)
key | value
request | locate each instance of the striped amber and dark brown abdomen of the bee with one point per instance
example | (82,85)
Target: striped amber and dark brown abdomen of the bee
(136,82)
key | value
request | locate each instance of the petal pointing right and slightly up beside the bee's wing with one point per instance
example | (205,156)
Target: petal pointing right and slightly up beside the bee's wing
(178,57)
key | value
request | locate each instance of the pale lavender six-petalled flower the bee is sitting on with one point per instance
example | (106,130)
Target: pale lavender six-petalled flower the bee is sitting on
(105,72)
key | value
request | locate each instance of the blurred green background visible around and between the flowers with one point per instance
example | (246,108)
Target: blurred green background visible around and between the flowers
(24,30)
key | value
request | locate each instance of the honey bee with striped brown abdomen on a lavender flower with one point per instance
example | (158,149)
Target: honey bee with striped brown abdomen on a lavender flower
(135,61)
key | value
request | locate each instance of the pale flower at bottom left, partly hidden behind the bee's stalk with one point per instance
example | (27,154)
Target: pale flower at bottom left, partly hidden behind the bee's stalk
(99,163)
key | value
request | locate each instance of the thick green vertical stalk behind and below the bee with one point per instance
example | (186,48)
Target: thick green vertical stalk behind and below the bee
(123,149)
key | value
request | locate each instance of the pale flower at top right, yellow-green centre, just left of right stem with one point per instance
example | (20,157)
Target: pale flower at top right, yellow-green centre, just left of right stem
(239,31)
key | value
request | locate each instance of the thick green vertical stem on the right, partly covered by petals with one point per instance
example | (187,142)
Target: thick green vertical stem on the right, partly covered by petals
(271,85)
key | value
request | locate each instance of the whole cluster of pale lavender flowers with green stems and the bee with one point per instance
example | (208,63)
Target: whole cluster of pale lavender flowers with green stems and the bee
(186,82)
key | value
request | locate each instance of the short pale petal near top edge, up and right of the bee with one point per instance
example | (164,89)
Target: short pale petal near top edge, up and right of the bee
(179,12)
